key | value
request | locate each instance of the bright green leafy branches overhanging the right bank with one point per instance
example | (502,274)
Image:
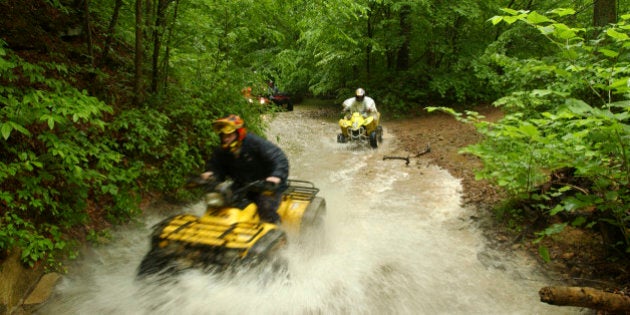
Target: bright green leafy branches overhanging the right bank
(570,114)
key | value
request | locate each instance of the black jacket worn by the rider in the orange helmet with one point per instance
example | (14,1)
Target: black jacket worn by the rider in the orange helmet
(258,159)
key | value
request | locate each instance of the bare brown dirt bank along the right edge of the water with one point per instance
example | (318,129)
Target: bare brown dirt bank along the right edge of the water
(578,256)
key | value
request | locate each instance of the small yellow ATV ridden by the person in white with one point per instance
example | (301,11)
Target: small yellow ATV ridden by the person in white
(358,128)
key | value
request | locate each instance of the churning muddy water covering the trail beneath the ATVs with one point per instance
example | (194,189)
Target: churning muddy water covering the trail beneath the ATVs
(396,241)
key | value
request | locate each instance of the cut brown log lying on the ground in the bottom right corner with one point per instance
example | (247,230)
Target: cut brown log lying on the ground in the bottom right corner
(585,297)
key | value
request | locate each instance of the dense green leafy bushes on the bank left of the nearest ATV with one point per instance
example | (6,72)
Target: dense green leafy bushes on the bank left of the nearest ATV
(56,157)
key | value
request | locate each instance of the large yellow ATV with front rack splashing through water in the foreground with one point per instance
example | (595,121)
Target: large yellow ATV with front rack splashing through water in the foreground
(230,231)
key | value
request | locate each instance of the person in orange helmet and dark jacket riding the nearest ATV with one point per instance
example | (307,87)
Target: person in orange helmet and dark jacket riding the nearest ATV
(246,157)
